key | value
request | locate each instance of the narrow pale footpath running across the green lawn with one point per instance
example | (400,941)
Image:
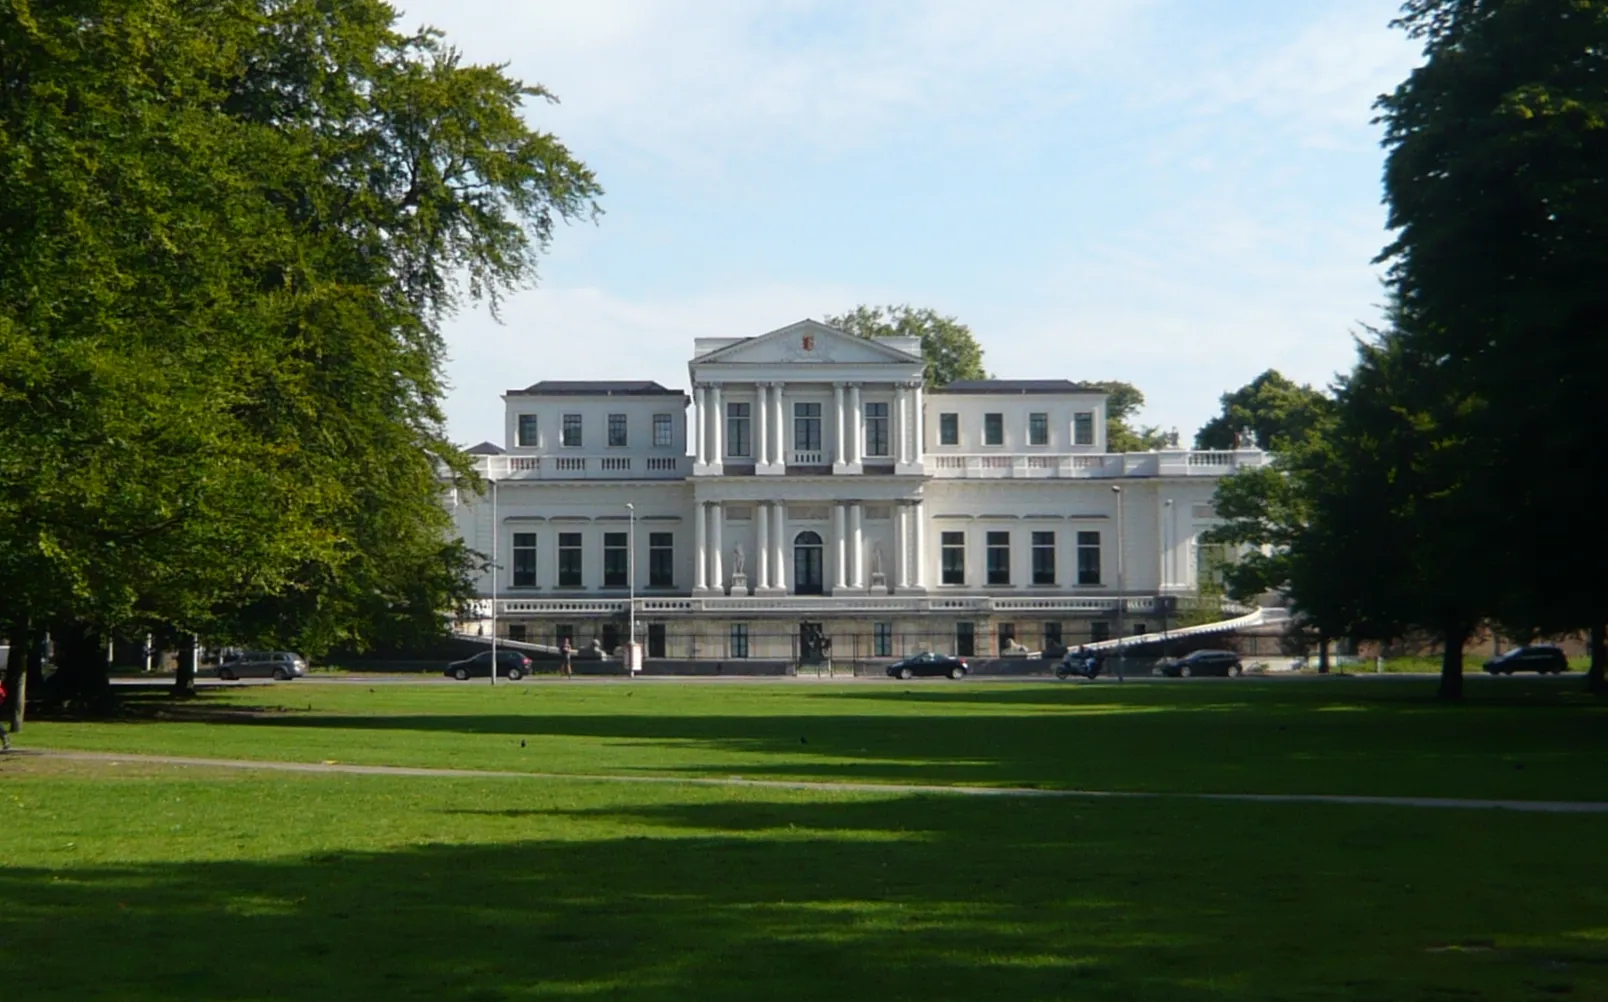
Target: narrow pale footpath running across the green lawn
(840,787)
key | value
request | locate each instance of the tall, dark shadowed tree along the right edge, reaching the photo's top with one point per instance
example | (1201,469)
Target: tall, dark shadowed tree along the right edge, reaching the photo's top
(1498,186)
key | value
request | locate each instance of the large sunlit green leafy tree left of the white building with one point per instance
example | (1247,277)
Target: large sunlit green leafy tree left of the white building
(232,234)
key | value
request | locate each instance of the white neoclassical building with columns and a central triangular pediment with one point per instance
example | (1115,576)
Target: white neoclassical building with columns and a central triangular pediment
(818,490)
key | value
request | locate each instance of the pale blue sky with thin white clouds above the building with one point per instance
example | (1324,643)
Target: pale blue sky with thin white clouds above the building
(1179,194)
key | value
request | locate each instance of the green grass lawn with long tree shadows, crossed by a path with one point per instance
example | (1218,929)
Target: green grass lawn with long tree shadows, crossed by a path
(154,882)
